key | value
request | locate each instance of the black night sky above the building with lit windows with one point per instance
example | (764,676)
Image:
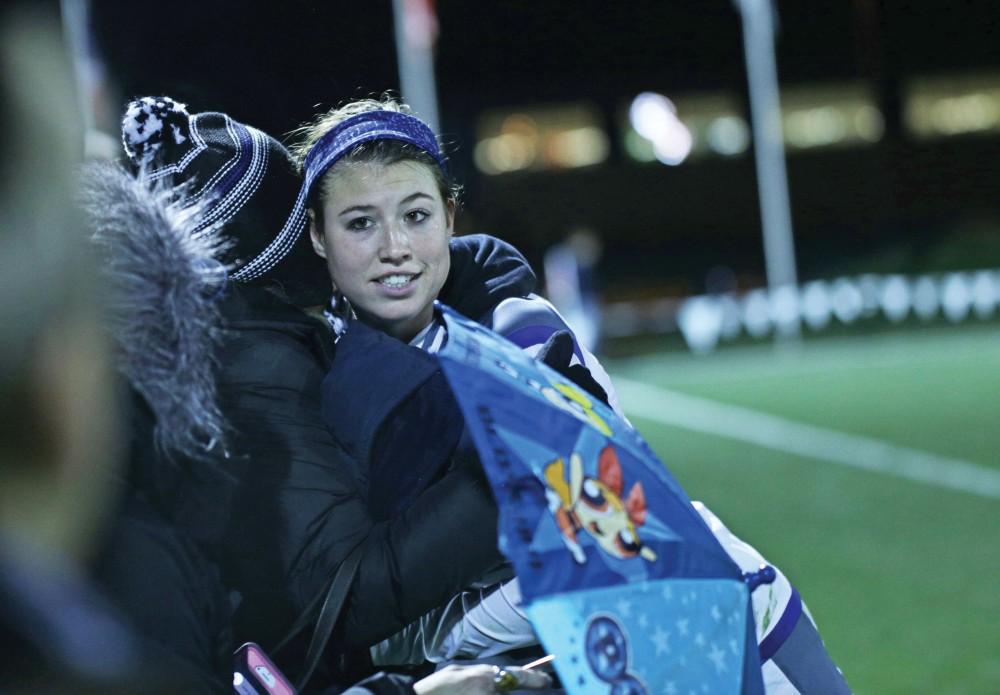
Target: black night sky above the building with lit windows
(273,62)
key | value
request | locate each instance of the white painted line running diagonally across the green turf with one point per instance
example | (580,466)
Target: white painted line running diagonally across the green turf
(733,422)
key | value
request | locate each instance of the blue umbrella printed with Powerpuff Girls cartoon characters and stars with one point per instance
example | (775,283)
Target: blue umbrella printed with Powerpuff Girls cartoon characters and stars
(622,580)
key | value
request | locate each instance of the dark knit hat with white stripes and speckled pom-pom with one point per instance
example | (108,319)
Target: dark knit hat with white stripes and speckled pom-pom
(246,182)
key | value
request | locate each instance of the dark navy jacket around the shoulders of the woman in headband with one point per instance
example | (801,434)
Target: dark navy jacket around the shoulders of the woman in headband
(405,426)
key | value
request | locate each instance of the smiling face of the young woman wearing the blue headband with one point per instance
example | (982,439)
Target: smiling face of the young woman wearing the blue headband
(385,240)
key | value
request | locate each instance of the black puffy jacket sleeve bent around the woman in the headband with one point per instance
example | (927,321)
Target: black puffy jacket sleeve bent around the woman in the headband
(300,507)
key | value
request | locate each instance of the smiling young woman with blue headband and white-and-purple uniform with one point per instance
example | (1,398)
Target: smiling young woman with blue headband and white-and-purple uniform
(382,214)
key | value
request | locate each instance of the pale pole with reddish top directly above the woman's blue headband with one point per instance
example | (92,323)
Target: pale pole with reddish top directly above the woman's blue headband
(416,26)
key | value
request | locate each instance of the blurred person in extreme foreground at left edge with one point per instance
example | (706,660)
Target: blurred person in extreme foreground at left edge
(57,391)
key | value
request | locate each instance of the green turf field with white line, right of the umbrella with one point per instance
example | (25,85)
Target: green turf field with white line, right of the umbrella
(903,577)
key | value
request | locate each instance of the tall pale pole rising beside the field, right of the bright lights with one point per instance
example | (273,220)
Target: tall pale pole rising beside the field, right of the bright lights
(769,154)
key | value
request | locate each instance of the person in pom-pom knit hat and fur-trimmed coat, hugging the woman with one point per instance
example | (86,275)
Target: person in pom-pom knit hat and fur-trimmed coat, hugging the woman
(206,239)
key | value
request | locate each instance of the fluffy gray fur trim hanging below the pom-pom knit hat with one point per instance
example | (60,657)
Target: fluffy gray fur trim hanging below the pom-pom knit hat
(165,283)
